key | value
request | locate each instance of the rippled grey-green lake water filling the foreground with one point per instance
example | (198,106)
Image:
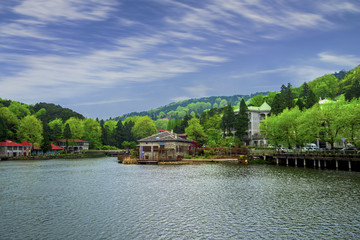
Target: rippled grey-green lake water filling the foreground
(101,199)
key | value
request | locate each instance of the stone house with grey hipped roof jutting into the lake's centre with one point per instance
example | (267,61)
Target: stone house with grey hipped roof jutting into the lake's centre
(164,146)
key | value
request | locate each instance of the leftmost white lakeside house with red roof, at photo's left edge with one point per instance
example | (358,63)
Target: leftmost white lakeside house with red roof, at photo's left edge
(11,149)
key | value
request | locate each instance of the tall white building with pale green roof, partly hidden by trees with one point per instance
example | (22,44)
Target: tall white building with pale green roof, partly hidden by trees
(256,115)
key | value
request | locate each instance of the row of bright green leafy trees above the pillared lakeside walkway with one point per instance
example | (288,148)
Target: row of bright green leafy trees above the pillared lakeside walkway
(329,122)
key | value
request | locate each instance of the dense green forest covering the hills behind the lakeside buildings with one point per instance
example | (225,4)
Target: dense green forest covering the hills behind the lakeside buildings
(211,121)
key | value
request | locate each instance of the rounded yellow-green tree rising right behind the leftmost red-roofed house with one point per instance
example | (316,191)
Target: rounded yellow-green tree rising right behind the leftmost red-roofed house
(30,129)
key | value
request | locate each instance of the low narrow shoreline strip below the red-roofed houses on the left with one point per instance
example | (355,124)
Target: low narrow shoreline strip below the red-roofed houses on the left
(57,156)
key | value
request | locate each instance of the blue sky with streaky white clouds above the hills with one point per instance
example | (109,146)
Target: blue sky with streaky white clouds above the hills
(105,58)
